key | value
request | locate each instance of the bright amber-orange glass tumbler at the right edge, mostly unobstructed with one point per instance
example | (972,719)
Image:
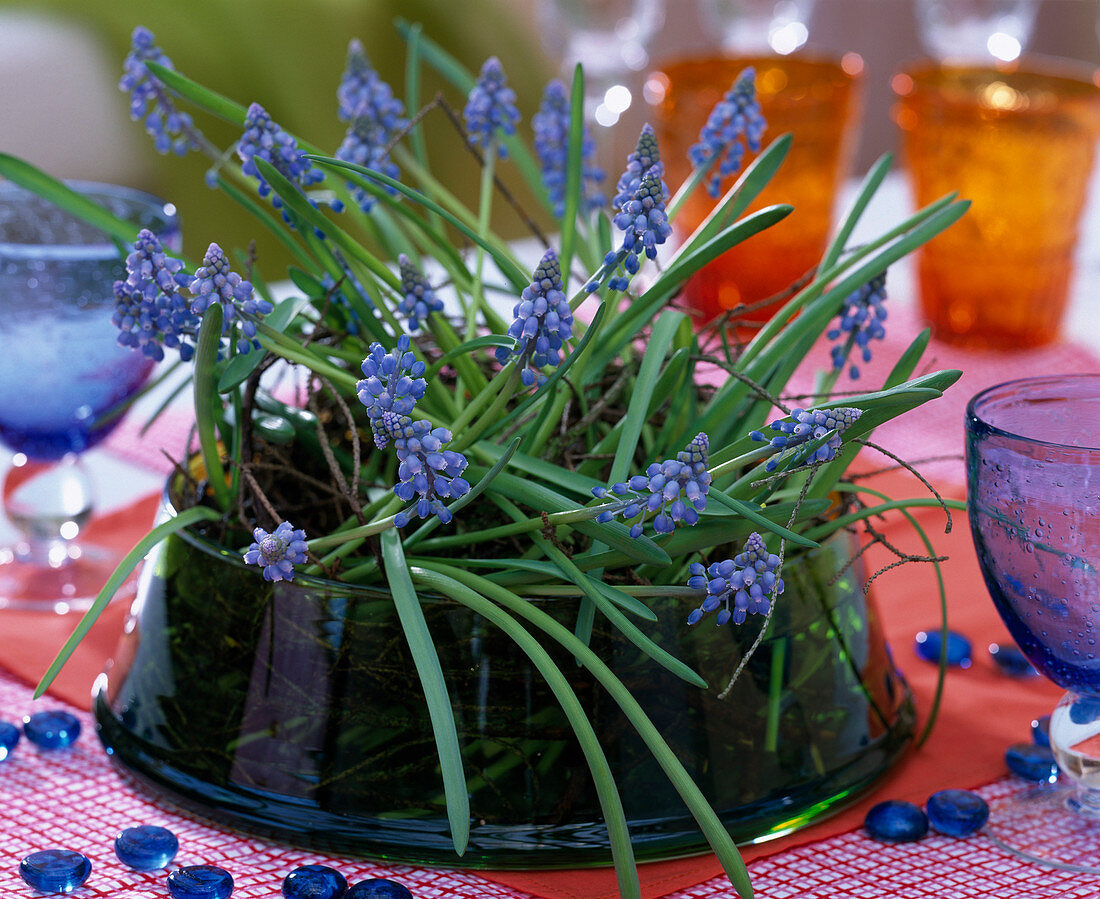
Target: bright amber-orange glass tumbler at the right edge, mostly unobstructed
(1020,145)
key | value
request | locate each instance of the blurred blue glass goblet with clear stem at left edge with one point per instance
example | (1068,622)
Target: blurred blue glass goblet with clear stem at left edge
(65,381)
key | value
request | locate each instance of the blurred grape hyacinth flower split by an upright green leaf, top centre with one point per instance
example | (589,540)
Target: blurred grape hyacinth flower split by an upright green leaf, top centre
(552,147)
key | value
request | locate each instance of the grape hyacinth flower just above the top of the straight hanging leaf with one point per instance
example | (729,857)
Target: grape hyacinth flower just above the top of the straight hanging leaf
(430,474)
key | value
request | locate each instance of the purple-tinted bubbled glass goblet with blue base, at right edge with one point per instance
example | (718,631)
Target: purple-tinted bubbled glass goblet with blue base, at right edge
(1033,495)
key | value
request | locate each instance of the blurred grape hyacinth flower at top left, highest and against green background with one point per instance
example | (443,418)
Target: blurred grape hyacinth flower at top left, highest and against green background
(171,130)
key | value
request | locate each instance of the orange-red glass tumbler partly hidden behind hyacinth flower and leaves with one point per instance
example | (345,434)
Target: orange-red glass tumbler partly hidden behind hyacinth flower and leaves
(815,100)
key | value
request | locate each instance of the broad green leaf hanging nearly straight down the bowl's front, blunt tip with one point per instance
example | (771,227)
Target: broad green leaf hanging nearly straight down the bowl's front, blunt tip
(435,688)
